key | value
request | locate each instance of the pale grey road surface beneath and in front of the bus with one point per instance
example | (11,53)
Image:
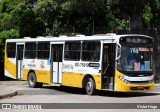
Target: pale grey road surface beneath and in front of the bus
(50,94)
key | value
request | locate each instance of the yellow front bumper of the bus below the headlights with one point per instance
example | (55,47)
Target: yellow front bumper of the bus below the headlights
(123,87)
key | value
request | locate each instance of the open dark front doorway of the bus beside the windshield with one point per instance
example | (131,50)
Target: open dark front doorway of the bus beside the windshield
(108,66)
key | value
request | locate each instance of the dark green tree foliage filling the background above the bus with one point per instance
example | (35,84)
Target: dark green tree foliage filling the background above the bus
(47,17)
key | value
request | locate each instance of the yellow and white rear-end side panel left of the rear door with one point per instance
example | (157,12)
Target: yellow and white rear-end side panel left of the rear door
(10,67)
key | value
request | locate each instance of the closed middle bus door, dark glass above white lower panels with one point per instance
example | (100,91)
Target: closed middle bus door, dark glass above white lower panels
(56,63)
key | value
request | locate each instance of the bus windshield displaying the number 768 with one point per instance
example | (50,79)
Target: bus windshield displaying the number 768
(135,59)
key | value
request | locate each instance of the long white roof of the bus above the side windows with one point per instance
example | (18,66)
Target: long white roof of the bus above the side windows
(73,38)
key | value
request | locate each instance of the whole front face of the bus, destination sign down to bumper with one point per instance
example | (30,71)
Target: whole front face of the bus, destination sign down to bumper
(134,70)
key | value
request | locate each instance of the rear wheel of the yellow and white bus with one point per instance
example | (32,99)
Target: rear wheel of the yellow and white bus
(32,81)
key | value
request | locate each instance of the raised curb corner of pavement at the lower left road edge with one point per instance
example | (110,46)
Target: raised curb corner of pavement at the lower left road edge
(7,93)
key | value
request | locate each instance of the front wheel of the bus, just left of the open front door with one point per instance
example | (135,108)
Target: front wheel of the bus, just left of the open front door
(90,86)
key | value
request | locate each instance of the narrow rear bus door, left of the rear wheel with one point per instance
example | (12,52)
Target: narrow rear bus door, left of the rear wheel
(19,61)
